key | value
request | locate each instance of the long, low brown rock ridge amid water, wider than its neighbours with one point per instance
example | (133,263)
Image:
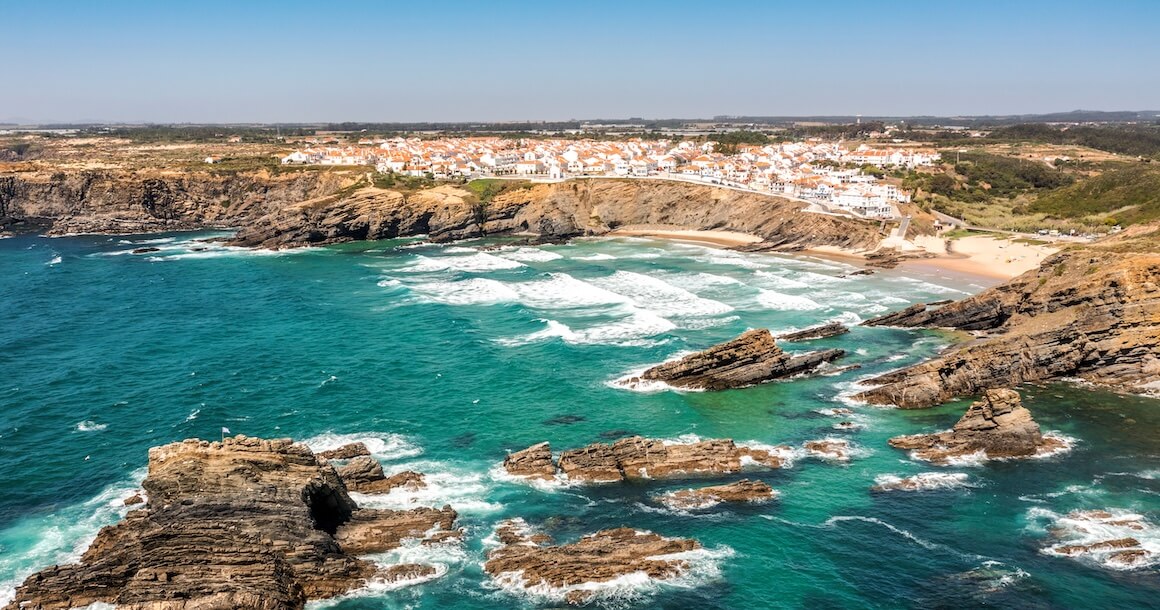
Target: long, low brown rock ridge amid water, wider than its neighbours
(640,459)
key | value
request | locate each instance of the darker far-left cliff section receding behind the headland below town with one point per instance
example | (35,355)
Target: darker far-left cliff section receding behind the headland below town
(103,201)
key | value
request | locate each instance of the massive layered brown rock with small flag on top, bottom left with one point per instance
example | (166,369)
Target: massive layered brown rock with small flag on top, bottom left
(243,524)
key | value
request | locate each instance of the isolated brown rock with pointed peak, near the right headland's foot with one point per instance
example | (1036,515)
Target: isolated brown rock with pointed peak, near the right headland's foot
(998,426)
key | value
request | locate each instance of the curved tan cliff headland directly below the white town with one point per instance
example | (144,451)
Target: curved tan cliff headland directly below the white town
(553,213)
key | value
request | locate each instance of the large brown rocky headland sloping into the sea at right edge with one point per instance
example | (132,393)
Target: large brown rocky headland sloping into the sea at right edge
(1090,313)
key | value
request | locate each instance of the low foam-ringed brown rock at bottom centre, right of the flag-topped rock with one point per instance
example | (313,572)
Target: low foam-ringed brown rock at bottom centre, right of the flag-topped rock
(574,571)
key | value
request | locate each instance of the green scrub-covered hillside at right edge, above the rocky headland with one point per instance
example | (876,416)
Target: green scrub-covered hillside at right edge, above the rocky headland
(1125,197)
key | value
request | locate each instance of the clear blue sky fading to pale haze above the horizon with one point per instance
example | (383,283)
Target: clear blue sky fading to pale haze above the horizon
(265,62)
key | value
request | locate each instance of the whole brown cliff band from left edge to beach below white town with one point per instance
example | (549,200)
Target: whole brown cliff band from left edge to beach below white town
(284,210)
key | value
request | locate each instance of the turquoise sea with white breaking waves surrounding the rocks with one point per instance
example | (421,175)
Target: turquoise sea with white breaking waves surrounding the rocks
(446,358)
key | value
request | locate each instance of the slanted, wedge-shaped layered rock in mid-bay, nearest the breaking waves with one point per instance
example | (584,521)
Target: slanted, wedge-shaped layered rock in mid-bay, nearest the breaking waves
(748,360)
